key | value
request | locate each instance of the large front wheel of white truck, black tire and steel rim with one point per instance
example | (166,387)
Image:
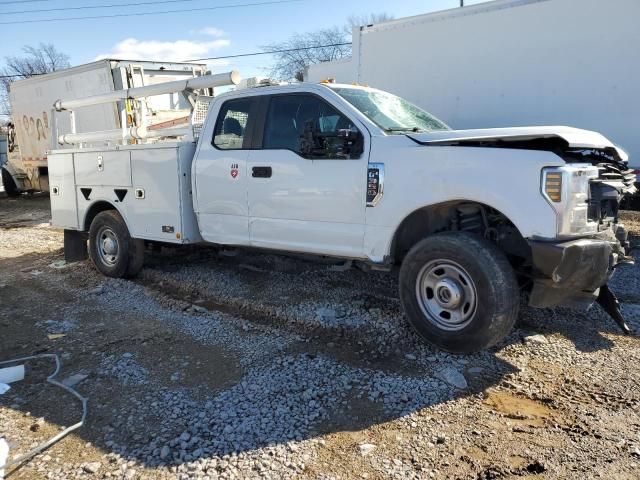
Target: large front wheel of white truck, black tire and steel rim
(487,307)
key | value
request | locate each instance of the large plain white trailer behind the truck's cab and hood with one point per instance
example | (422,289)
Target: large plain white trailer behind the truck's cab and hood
(509,63)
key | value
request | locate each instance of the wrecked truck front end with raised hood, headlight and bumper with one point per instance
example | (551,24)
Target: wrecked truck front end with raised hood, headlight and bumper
(574,268)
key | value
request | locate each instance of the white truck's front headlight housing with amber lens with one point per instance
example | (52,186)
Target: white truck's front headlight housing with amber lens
(567,191)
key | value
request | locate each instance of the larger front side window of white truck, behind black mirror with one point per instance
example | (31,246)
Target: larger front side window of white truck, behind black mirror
(310,127)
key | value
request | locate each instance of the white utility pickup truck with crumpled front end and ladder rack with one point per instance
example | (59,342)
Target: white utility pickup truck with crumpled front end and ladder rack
(472,217)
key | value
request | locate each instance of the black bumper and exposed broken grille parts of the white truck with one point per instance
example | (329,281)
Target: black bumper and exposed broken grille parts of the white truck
(575,272)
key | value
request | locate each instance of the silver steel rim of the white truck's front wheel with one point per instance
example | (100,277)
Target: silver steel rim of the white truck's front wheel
(446,294)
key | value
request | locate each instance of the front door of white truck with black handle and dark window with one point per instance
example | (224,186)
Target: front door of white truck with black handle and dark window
(306,187)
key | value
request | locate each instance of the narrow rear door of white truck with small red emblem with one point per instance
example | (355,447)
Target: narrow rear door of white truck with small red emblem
(220,173)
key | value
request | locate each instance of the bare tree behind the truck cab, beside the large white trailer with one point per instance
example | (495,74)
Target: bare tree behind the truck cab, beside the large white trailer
(292,56)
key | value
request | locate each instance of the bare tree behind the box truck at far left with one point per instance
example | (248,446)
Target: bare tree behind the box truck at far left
(44,58)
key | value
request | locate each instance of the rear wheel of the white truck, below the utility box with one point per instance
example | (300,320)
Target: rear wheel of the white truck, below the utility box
(112,249)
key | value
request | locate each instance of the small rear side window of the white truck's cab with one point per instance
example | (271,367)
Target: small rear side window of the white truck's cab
(231,125)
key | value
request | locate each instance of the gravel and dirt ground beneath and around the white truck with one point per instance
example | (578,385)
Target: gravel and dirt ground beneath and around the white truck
(244,365)
